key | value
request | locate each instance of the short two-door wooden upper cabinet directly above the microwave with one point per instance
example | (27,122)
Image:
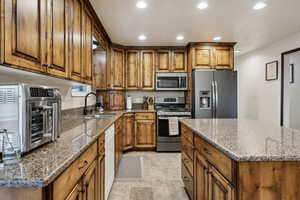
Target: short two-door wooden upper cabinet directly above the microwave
(171,61)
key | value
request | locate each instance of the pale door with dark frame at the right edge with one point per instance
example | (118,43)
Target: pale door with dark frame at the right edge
(290,113)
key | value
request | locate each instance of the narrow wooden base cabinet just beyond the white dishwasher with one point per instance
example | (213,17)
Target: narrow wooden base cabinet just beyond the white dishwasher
(118,142)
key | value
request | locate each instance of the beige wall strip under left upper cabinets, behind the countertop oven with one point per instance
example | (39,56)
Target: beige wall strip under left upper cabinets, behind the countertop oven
(8,75)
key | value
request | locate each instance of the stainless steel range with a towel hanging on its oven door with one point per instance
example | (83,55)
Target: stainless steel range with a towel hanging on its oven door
(169,109)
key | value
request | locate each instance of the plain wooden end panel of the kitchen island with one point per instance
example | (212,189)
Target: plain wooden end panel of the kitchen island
(268,180)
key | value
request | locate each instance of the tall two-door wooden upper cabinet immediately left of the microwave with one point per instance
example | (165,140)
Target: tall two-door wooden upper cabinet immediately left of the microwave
(140,70)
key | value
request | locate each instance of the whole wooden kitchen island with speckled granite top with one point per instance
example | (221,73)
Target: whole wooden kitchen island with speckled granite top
(240,159)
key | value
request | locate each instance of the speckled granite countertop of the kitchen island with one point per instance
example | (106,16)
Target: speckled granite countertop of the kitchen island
(248,140)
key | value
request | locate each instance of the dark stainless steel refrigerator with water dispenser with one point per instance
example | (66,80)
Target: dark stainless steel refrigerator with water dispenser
(214,94)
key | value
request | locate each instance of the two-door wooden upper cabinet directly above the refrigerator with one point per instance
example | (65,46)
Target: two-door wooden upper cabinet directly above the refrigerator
(212,56)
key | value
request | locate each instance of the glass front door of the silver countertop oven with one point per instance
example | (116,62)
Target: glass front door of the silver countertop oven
(41,125)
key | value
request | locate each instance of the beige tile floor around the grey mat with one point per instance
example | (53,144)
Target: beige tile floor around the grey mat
(161,180)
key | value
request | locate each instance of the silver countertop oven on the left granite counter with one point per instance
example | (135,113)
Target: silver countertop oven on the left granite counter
(33,112)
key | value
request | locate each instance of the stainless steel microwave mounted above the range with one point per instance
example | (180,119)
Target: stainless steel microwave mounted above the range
(171,81)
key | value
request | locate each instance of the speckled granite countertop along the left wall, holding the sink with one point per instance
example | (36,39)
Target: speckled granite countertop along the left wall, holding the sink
(43,165)
